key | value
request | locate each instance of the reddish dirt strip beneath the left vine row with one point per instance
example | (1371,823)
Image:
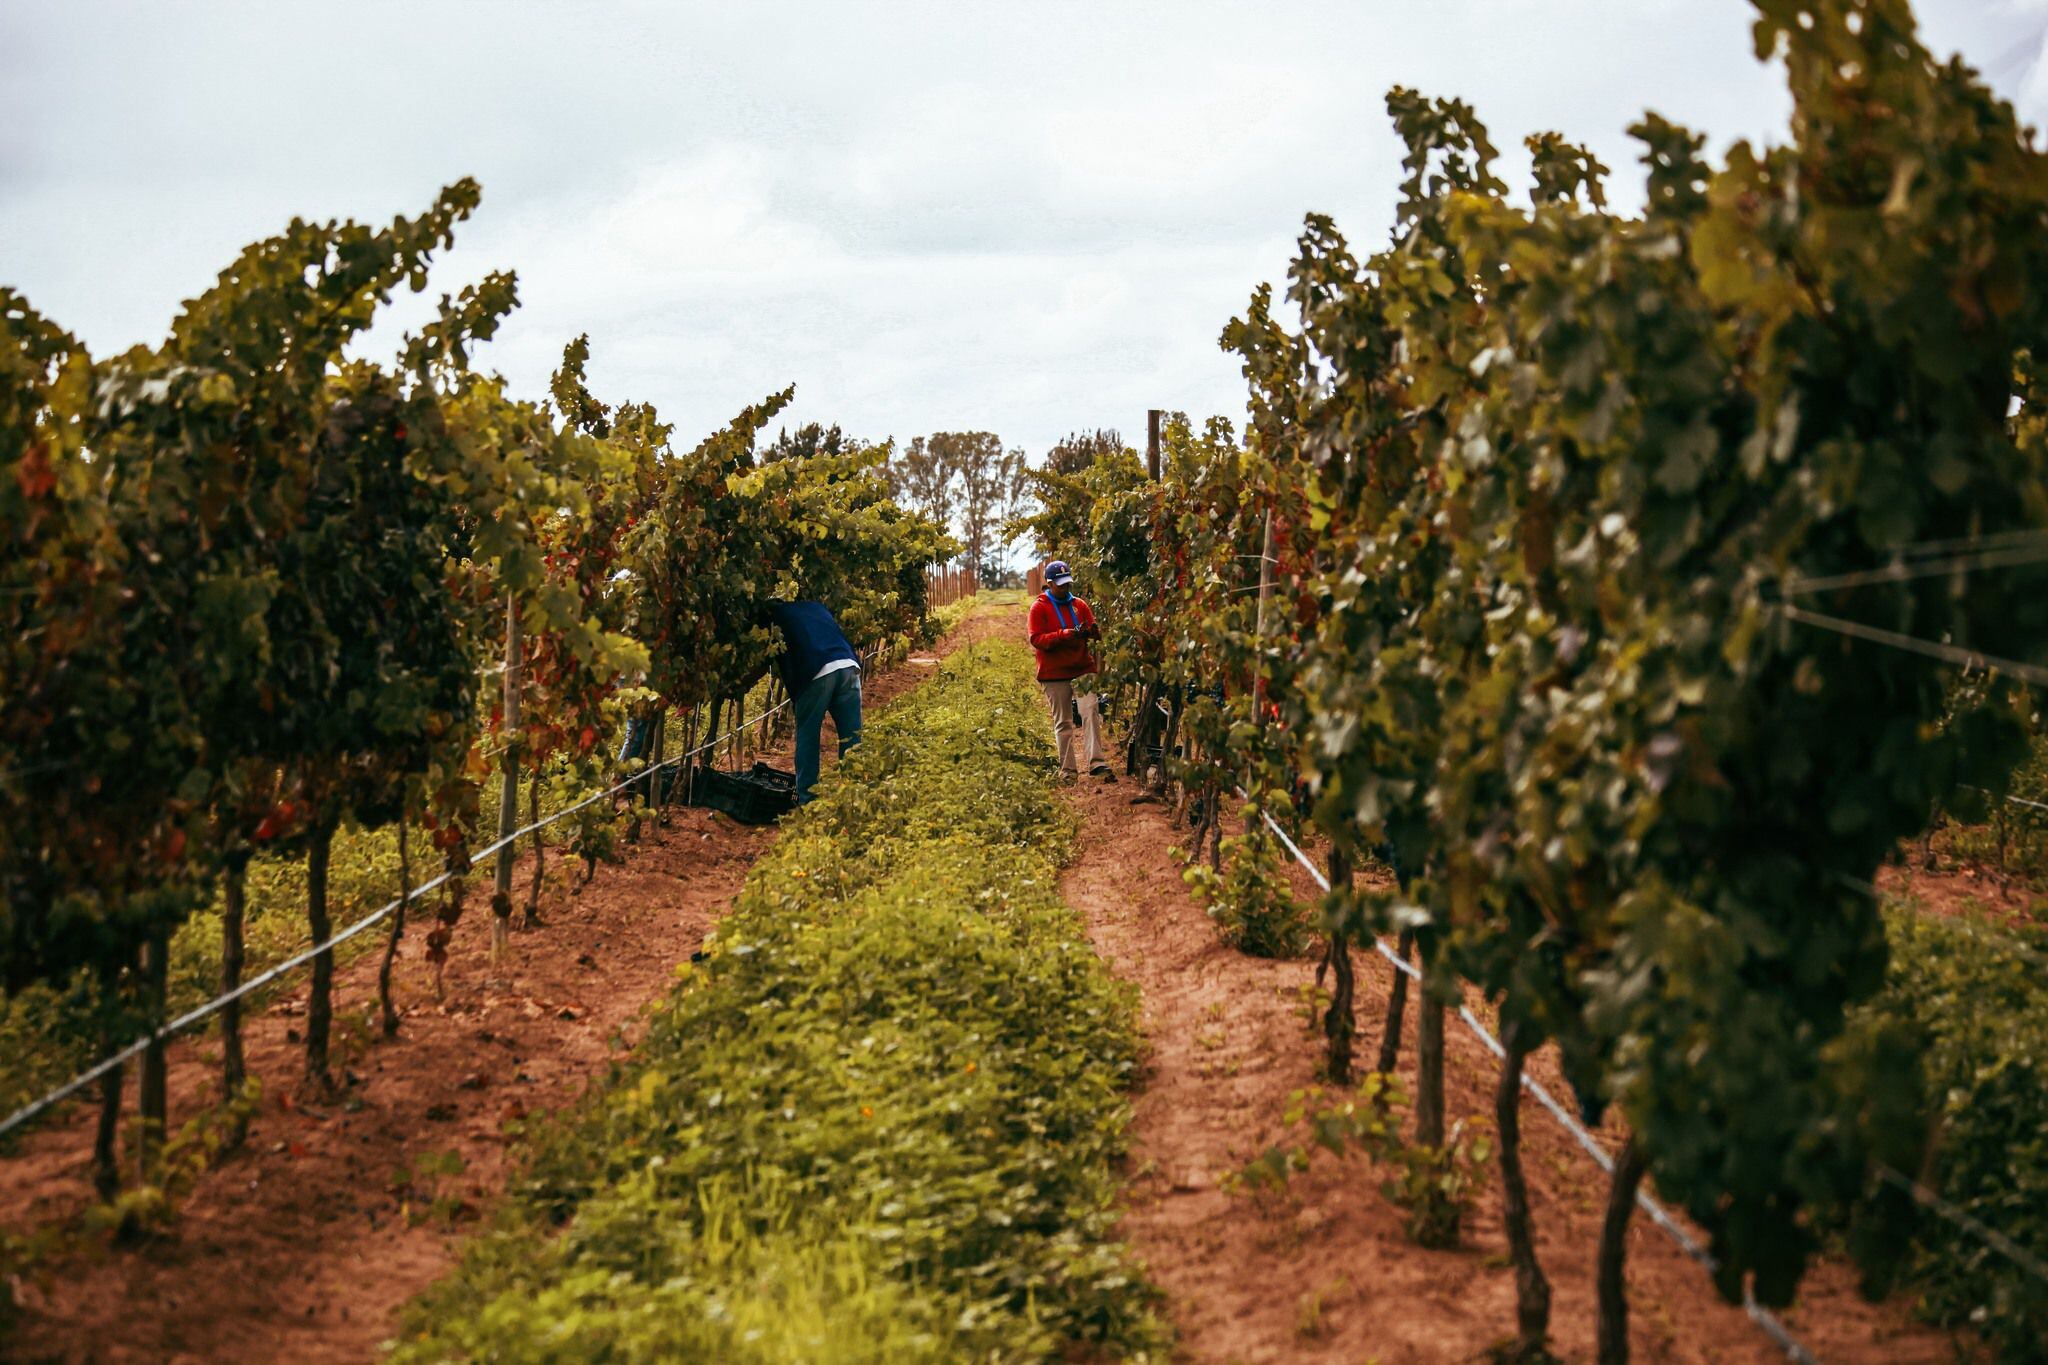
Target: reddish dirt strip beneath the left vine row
(304,1245)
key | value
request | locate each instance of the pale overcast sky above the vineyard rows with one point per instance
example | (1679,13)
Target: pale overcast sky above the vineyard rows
(962,216)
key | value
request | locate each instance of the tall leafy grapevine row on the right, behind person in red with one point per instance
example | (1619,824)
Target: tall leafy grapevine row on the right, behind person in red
(1611,580)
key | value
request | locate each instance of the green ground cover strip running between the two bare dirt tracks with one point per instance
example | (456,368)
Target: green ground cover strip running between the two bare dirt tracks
(878,1125)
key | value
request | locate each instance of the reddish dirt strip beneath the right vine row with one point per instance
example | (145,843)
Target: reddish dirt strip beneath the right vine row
(1324,1272)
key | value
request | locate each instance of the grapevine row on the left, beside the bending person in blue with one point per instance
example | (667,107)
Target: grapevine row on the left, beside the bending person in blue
(263,590)
